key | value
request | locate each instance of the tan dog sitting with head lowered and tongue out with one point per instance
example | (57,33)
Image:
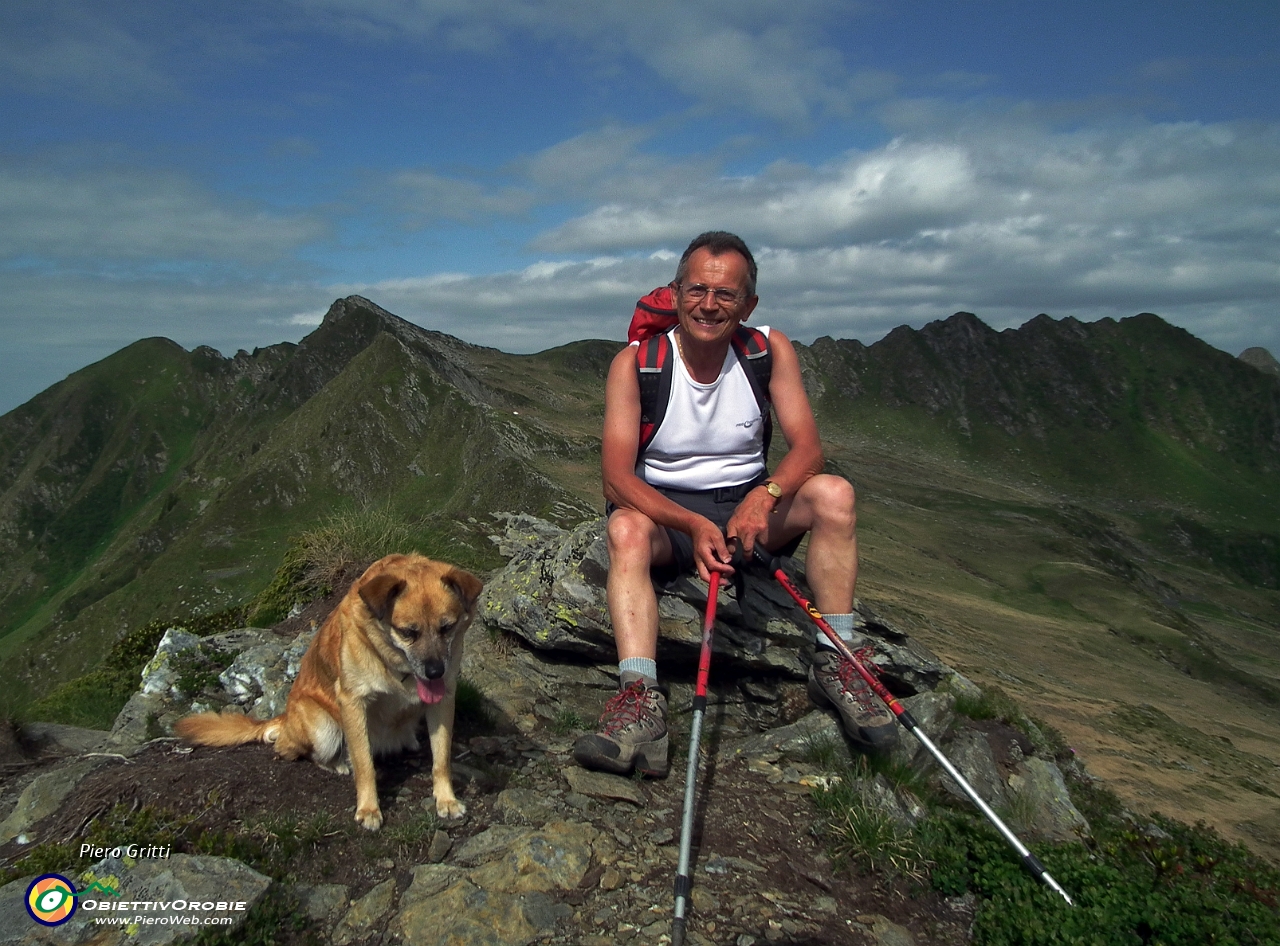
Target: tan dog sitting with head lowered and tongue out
(391,651)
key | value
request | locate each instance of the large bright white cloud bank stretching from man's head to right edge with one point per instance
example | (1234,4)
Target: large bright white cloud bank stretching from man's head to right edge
(1159,217)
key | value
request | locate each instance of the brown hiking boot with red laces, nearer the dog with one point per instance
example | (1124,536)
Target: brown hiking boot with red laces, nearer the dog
(633,733)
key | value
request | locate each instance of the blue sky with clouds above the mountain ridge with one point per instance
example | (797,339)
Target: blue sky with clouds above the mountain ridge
(519,173)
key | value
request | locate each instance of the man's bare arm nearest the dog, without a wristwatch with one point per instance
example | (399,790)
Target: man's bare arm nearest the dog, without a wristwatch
(623,488)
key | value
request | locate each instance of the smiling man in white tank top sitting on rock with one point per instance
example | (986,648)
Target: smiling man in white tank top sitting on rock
(703,478)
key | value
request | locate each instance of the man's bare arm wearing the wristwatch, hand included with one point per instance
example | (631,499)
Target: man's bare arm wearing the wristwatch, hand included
(804,450)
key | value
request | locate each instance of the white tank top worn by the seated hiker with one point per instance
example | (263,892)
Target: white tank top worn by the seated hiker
(712,435)
